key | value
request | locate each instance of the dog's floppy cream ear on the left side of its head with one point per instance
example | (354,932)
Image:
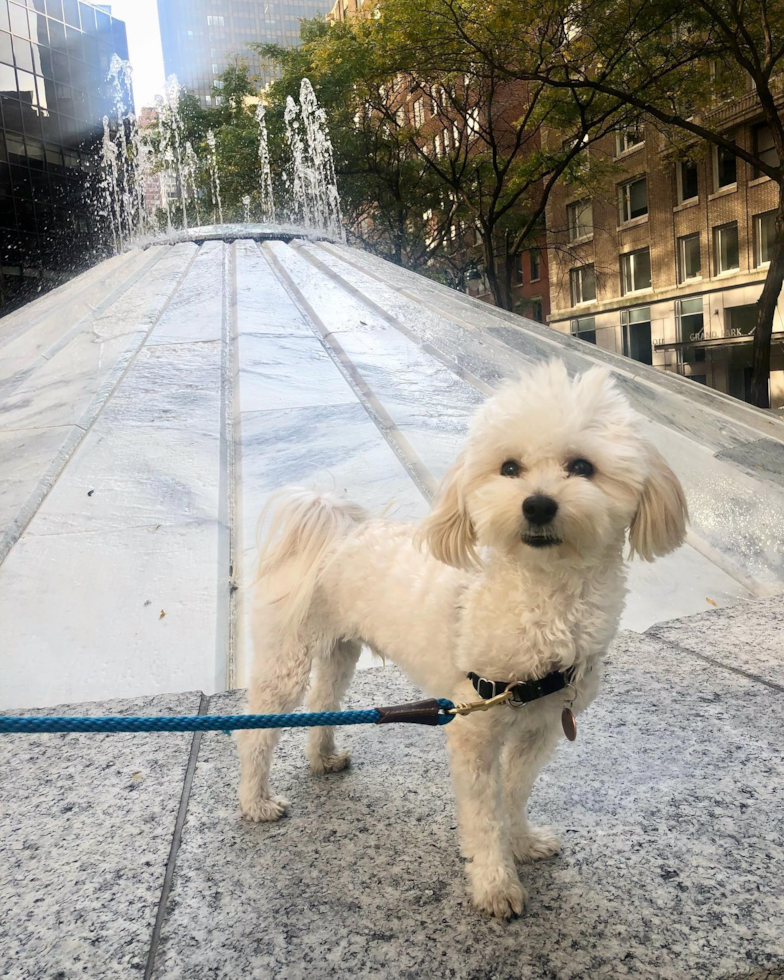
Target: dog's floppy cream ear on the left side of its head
(447,531)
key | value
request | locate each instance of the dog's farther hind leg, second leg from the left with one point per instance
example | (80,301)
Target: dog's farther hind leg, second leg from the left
(332,675)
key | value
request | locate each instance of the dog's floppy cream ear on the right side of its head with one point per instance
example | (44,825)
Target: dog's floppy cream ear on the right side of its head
(659,526)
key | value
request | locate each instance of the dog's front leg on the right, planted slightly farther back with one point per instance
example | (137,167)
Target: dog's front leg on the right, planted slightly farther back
(523,756)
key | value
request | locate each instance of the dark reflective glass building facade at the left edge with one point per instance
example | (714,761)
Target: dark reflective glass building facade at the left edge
(54,58)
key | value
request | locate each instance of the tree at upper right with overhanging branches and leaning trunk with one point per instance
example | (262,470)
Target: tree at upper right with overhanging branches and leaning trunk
(674,64)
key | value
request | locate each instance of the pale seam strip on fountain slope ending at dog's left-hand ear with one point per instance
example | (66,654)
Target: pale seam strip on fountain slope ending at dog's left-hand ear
(419,473)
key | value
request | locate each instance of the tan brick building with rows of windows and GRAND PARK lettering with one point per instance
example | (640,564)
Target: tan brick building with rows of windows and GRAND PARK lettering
(667,263)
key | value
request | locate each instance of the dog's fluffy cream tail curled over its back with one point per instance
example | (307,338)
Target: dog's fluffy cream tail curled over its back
(303,526)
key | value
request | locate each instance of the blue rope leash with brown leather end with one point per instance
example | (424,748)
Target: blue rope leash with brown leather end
(431,712)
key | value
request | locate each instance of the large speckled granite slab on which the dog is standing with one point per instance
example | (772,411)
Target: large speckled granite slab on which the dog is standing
(669,806)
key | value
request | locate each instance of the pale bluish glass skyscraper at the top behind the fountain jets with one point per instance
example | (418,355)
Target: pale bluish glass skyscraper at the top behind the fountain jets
(199,37)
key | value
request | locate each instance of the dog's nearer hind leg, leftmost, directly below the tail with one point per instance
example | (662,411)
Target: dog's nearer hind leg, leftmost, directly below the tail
(280,676)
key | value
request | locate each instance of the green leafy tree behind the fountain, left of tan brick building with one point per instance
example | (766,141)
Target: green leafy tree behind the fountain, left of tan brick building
(418,200)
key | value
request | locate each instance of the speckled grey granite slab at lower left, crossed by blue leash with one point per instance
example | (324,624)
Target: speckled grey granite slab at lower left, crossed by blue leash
(86,824)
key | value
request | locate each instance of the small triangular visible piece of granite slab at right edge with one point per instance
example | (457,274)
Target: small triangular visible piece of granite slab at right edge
(748,637)
